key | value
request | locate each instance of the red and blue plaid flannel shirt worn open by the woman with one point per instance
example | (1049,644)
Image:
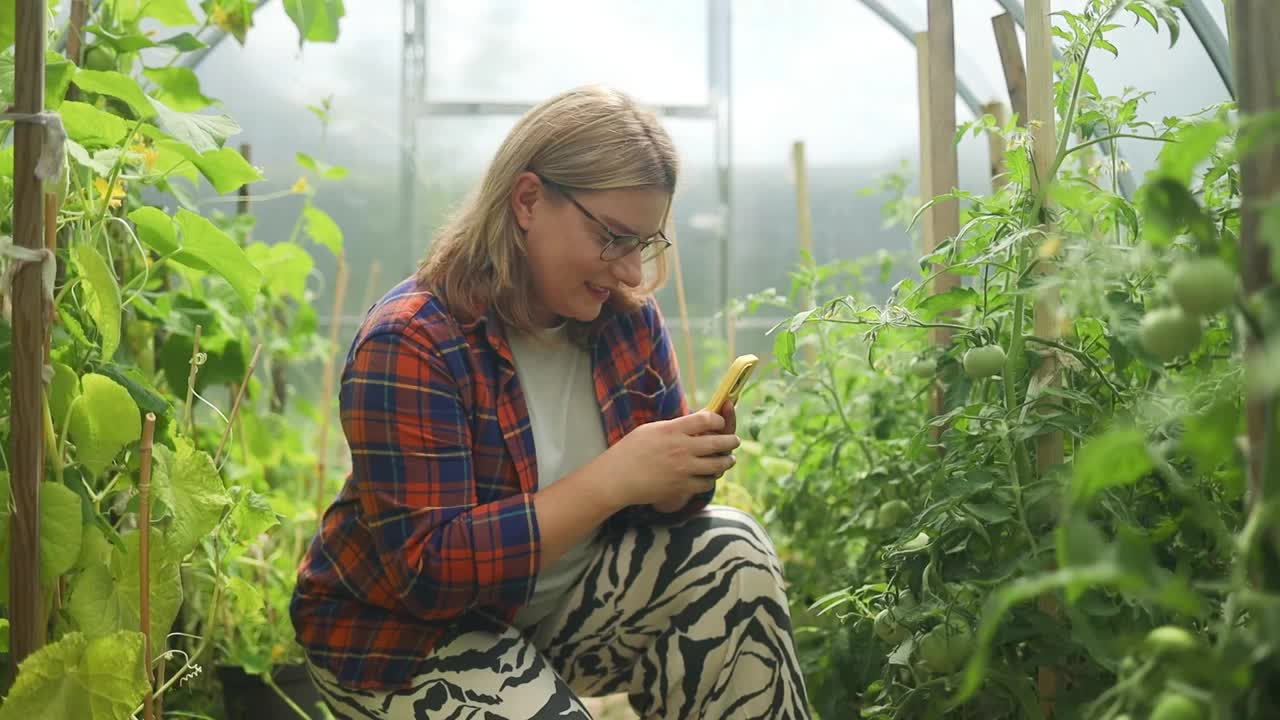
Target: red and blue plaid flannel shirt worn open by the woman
(436,521)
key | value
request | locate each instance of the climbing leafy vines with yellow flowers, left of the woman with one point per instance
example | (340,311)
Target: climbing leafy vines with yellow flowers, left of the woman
(148,267)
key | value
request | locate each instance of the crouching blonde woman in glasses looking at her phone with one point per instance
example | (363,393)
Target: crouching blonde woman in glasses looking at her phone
(527,520)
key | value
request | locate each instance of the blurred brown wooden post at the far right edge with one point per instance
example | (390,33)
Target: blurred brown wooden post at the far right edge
(1255,28)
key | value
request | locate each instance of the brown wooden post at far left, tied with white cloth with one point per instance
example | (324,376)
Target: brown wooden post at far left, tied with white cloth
(28,452)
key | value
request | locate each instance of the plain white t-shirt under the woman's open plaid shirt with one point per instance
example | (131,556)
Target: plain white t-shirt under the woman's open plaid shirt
(569,432)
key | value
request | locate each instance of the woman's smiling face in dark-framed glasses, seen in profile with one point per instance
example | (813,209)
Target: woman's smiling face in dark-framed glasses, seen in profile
(564,244)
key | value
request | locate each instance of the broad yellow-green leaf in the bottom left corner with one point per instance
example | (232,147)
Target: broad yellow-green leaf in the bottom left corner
(83,678)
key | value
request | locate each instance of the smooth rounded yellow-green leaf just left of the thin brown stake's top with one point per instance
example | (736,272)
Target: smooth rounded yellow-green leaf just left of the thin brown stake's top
(103,422)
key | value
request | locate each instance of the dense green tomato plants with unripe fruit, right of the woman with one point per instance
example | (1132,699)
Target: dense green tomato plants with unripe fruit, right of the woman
(1126,573)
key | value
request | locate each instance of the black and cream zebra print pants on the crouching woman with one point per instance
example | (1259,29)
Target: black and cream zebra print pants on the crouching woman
(692,621)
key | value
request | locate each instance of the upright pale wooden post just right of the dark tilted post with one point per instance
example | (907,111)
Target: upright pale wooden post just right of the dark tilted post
(1040,108)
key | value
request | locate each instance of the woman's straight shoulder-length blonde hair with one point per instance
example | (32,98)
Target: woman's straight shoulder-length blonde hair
(588,139)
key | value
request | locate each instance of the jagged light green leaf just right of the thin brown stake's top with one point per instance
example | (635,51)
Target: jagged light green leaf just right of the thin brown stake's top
(188,484)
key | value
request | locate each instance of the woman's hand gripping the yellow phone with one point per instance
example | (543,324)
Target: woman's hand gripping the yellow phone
(668,463)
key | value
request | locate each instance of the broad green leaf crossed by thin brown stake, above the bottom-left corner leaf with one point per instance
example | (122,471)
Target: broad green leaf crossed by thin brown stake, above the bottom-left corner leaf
(106,598)
